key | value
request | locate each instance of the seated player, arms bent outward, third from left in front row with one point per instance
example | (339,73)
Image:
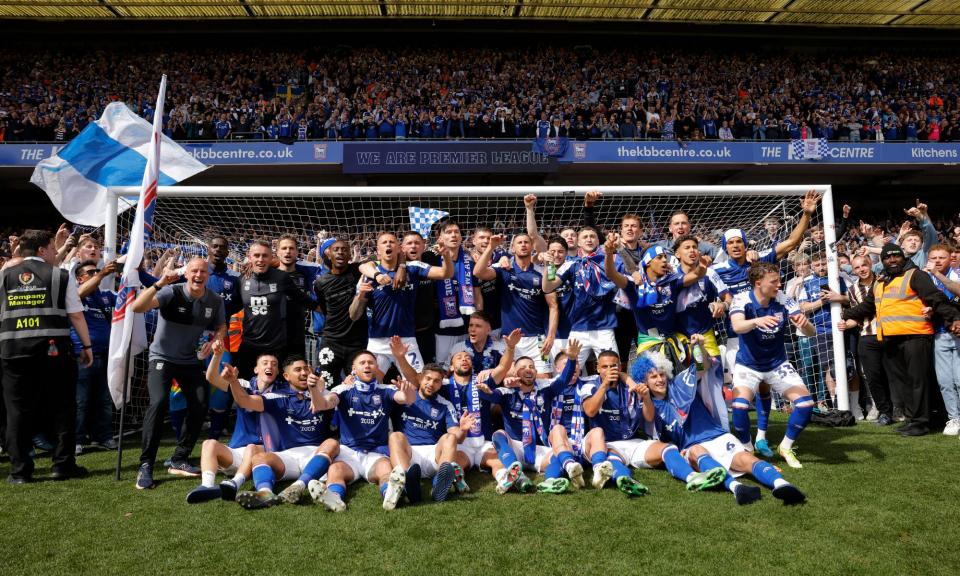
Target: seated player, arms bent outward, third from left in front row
(364,407)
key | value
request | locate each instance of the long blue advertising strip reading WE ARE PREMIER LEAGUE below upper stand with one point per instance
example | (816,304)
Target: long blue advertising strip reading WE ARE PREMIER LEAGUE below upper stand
(436,156)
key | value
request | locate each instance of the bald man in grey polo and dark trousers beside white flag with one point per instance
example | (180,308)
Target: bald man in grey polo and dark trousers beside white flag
(187,310)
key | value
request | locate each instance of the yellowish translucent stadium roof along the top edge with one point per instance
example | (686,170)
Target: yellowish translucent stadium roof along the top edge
(880,13)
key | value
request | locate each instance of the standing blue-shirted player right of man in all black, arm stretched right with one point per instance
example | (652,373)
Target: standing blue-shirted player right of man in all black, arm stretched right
(392,307)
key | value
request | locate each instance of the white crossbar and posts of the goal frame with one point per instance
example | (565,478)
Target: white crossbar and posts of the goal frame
(829,224)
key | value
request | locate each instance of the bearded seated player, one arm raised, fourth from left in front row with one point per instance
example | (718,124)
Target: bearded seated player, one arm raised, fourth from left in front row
(430,431)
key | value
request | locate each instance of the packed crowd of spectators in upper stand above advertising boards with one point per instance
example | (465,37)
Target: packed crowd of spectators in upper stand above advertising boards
(412,92)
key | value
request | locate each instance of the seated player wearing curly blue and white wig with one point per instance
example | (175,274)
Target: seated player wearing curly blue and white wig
(705,443)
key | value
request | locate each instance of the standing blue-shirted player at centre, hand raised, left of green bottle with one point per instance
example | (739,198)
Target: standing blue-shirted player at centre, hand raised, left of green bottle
(523,303)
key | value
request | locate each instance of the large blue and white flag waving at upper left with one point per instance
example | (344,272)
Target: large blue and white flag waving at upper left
(109,152)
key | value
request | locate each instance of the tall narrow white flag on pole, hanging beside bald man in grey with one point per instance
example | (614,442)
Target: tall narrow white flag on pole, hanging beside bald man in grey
(128,335)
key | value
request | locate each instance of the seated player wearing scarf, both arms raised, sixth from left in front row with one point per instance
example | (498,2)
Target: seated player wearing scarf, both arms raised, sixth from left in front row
(527,439)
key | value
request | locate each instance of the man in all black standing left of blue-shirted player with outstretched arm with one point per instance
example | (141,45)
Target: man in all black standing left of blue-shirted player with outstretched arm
(342,336)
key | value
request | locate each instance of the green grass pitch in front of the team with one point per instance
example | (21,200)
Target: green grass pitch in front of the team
(878,504)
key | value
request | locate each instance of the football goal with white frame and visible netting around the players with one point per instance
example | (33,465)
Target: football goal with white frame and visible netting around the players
(188,216)
